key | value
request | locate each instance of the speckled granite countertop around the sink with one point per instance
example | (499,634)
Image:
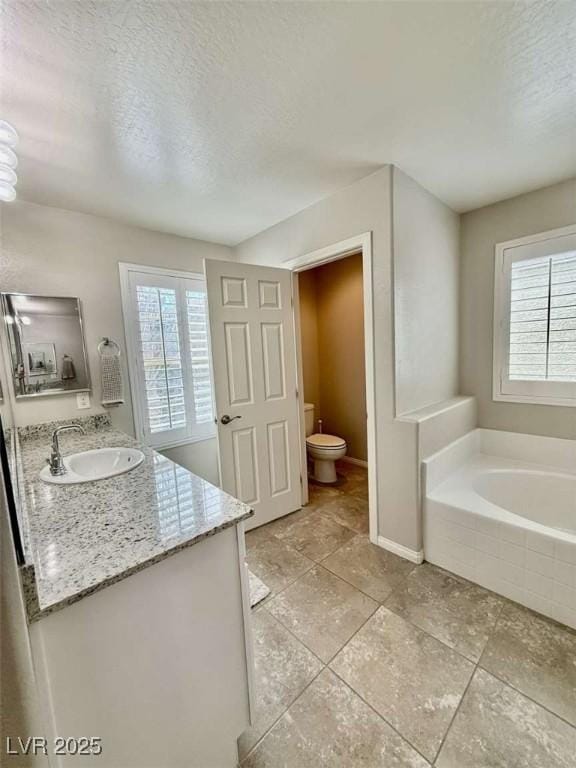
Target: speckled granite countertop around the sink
(81,538)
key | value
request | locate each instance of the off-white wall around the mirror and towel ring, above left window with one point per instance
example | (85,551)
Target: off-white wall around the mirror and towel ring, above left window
(53,251)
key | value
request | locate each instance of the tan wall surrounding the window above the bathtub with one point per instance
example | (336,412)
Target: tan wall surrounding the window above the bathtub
(547,208)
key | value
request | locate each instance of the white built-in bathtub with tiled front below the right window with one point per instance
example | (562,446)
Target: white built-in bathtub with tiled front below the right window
(500,510)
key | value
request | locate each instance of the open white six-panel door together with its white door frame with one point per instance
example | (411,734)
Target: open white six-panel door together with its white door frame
(258,380)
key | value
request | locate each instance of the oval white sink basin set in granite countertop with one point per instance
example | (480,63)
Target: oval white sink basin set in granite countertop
(95,465)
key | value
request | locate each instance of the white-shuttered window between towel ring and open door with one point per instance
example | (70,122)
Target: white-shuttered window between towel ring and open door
(169,357)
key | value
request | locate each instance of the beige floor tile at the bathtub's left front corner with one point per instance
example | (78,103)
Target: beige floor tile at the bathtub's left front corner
(453,610)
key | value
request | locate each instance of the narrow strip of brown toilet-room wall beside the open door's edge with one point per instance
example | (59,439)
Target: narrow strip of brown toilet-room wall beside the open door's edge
(309,338)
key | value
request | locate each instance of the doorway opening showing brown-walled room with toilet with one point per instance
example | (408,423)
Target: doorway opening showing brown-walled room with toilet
(331,307)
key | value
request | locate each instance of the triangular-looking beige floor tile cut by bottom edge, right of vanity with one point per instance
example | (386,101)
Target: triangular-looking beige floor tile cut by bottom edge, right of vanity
(330,727)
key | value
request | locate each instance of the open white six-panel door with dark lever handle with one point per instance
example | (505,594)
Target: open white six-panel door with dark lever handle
(255,382)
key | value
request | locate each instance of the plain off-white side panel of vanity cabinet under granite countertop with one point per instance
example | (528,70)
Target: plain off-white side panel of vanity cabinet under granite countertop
(156,665)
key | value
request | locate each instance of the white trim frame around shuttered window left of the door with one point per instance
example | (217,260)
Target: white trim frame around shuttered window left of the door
(131,336)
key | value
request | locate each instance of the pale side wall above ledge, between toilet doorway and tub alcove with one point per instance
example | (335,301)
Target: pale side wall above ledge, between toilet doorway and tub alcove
(426,267)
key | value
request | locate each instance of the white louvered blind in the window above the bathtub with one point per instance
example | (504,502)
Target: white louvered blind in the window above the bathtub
(543,319)
